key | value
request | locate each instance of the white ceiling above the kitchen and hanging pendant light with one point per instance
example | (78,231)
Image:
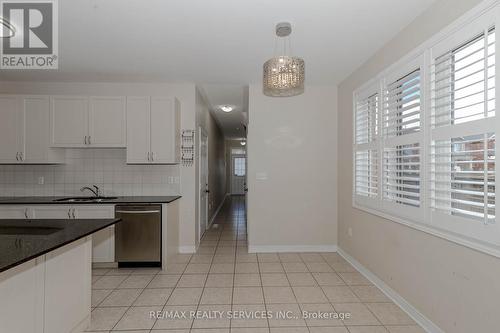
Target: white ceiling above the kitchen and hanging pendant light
(217,41)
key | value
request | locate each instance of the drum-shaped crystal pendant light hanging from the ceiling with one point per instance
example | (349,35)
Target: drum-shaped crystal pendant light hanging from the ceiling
(284,74)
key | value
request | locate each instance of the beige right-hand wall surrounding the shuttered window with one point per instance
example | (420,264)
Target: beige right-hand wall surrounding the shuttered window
(455,287)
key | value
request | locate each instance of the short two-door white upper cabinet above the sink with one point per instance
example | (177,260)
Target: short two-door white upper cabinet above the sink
(79,121)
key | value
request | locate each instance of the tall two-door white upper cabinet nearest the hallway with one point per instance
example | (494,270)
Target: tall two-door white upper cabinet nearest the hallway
(153,130)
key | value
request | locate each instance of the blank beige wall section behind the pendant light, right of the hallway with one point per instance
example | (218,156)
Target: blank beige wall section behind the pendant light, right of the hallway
(292,140)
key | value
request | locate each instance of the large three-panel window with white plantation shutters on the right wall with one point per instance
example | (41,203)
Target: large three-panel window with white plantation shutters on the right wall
(424,144)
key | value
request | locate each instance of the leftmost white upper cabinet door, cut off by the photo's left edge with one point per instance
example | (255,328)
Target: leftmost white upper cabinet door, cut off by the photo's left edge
(11,129)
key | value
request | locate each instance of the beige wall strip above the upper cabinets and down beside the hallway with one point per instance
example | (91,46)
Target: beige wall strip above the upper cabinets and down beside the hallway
(186,95)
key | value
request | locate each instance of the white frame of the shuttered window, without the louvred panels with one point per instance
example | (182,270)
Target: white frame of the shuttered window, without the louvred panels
(480,236)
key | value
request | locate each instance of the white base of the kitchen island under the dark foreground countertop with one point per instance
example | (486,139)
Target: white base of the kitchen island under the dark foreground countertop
(49,294)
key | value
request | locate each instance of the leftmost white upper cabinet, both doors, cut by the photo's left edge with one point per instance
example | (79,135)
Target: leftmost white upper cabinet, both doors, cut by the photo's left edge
(24,131)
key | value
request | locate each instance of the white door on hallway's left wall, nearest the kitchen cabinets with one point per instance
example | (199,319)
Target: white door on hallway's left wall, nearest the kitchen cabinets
(204,190)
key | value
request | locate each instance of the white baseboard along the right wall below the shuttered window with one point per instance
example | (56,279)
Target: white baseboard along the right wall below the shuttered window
(419,318)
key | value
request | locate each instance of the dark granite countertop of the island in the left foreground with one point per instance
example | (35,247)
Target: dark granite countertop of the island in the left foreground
(45,236)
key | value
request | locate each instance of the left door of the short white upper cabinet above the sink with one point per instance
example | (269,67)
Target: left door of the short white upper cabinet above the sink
(69,121)
